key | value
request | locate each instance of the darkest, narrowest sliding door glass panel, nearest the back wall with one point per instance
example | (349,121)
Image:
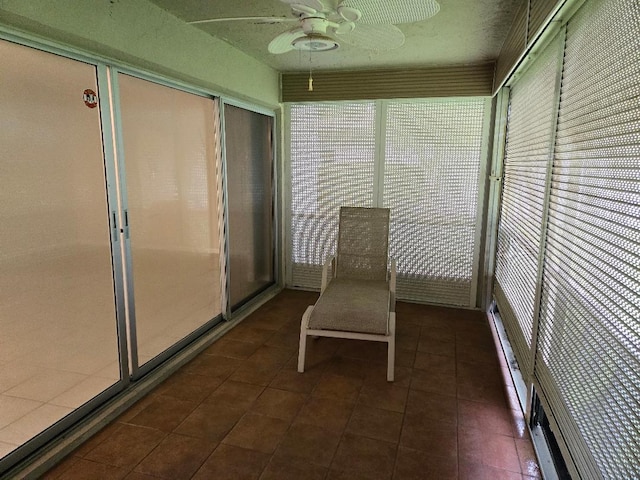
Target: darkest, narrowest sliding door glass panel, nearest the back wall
(249,177)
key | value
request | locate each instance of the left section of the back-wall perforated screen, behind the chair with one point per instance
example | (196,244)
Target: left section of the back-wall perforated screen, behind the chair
(332,164)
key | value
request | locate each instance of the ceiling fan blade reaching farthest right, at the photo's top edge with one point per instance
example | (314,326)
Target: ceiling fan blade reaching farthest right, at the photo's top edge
(393,11)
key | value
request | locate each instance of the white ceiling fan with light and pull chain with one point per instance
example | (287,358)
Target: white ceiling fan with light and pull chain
(322,24)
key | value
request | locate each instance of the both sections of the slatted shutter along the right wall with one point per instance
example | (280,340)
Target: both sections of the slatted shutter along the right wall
(587,333)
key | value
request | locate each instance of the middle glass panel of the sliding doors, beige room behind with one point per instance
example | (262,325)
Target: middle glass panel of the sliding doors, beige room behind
(170,155)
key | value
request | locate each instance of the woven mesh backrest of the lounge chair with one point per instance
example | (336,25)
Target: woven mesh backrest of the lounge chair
(363,243)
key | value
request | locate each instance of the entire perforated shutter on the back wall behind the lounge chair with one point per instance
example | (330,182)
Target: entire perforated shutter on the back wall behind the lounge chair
(421,158)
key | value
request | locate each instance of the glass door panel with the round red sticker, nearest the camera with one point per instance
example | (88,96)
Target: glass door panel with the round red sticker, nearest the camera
(58,341)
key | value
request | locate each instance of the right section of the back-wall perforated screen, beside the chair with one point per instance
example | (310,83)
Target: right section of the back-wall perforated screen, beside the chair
(432,165)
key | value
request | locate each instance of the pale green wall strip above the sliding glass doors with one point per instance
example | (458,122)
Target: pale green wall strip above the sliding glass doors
(141,34)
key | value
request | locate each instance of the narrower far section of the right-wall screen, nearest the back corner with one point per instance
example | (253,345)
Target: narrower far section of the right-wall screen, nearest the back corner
(531,125)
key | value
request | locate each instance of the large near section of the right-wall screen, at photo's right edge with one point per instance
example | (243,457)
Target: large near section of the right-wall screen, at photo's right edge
(589,340)
